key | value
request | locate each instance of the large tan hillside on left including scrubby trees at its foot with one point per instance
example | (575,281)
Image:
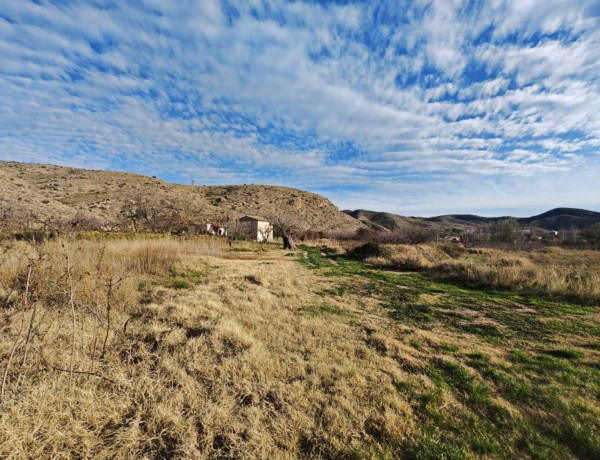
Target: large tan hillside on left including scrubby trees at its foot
(59,199)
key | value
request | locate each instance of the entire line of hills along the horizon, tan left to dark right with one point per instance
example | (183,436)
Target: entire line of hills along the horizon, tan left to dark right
(49,190)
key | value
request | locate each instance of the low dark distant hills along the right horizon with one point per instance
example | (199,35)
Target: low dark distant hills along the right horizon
(555,219)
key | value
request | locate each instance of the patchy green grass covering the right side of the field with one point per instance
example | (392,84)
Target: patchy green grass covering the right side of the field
(553,388)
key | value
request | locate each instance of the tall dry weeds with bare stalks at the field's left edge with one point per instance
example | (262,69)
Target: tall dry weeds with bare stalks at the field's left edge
(66,301)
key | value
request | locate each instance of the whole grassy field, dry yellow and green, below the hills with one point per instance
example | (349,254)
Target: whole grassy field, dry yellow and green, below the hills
(160,348)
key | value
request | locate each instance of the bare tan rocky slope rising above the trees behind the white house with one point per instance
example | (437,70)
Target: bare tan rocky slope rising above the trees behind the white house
(63,192)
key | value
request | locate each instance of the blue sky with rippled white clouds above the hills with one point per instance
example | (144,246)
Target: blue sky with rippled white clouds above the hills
(412,107)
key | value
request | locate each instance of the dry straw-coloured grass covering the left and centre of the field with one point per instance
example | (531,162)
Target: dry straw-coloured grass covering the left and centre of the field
(236,365)
